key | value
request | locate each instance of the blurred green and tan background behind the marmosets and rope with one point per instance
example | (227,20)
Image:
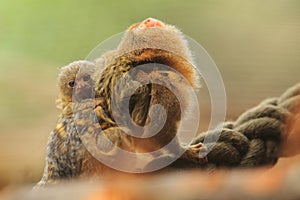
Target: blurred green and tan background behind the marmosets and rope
(255,44)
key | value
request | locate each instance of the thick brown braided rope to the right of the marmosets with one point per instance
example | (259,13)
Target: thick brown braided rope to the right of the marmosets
(254,139)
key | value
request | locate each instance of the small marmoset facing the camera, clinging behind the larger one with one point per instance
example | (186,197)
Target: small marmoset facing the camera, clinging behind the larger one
(66,155)
